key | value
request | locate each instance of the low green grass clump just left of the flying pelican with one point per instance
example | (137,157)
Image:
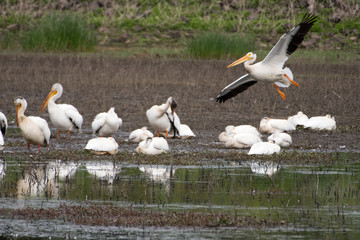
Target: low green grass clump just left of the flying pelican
(219,45)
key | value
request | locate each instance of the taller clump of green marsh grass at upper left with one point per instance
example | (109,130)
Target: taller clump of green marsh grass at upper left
(59,32)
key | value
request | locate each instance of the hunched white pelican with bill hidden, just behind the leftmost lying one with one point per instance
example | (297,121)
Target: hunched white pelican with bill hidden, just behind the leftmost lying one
(106,123)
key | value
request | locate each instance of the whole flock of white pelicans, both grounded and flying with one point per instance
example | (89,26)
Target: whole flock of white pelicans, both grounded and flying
(165,121)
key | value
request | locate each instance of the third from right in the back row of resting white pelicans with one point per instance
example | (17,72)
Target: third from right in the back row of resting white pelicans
(269,125)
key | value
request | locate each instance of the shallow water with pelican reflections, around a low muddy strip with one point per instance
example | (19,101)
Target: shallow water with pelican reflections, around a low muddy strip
(312,200)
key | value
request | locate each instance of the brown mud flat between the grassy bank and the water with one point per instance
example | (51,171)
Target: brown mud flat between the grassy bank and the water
(93,84)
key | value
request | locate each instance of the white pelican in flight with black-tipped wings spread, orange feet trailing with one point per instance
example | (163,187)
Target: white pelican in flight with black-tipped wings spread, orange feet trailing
(271,68)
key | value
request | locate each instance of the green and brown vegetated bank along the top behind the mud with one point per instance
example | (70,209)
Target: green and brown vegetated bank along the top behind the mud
(179,24)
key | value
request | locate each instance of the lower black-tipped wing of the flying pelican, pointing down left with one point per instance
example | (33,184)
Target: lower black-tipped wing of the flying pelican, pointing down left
(236,87)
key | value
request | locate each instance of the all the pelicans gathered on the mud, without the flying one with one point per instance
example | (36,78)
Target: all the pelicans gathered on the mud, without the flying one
(162,118)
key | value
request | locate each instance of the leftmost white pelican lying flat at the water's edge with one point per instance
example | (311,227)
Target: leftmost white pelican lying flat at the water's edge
(102,145)
